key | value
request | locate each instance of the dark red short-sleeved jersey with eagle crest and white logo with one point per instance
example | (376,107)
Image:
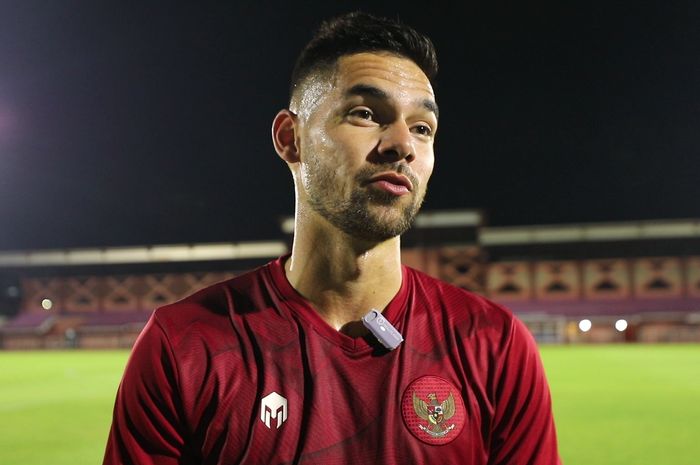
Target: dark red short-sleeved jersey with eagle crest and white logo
(246,372)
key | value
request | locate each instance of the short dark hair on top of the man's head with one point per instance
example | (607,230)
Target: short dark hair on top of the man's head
(359,32)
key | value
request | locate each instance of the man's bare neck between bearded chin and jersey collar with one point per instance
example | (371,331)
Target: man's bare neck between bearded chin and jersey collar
(343,277)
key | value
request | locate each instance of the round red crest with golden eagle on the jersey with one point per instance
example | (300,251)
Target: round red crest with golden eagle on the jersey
(433,410)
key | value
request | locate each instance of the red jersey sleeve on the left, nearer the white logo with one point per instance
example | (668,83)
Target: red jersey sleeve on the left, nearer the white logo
(147,422)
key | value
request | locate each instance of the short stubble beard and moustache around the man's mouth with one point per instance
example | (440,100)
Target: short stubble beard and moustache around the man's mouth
(368,214)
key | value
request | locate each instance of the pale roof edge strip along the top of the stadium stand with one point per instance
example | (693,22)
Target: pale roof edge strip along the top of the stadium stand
(487,236)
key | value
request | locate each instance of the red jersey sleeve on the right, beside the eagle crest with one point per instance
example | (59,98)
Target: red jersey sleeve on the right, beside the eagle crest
(523,431)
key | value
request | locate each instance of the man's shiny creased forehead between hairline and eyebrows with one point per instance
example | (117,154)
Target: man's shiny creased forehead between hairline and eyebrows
(394,74)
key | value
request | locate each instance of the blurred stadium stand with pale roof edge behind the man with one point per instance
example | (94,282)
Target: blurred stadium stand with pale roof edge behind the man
(551,276)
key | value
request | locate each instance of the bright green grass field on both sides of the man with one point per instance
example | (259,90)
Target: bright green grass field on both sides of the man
(631,405)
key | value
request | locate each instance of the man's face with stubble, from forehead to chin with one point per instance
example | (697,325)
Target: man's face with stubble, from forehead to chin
(366,144)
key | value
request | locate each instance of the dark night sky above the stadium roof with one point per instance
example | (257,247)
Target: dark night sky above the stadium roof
(149,123)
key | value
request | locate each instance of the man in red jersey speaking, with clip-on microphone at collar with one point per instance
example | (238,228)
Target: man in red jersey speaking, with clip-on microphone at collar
(275,366)
